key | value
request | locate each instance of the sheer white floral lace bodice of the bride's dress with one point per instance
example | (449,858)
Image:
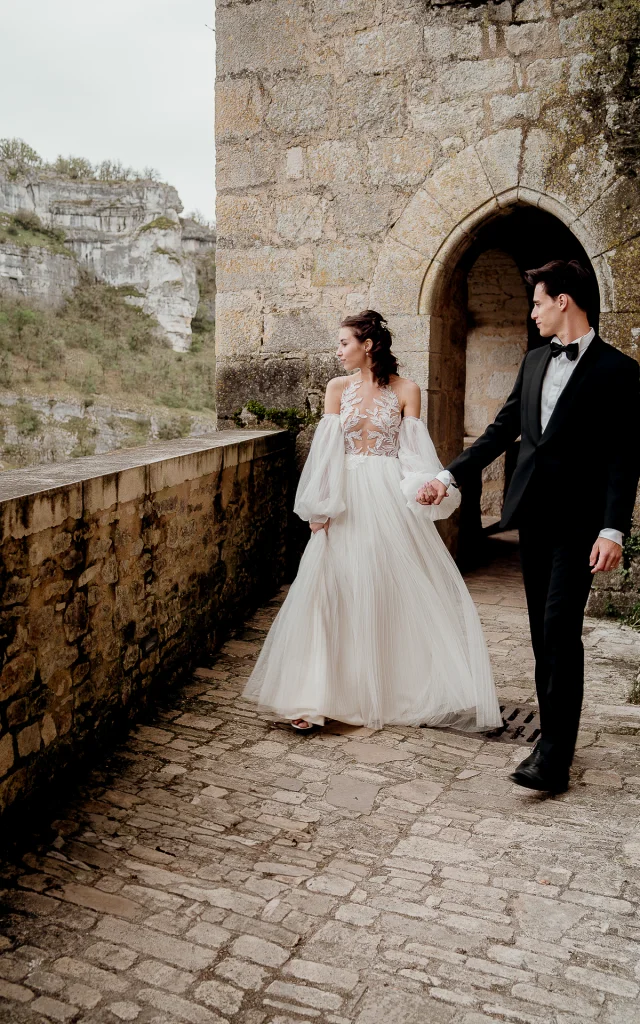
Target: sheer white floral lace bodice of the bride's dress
(371,432)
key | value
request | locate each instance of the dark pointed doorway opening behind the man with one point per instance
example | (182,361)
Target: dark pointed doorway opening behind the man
(481,329)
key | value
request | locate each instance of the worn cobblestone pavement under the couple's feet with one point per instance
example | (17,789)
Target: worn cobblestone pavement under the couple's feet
(221,869)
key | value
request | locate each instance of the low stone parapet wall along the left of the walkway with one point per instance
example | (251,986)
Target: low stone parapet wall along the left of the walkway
(118,574)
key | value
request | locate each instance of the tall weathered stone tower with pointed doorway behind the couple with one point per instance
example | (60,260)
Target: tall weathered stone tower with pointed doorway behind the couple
(416,156)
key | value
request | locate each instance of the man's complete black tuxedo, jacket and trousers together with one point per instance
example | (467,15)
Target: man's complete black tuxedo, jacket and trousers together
(575,479)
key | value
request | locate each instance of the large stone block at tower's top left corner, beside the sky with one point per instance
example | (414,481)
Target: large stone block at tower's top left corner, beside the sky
(264,36)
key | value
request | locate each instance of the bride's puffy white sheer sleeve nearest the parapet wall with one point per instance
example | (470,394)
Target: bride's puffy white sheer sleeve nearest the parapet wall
(321,492)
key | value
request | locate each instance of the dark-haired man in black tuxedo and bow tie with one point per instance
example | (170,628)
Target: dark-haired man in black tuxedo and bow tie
(576,404)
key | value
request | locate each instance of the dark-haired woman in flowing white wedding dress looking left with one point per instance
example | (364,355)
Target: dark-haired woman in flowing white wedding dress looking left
(378,627)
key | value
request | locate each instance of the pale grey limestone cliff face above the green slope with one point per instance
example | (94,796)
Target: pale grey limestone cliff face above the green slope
(126,234)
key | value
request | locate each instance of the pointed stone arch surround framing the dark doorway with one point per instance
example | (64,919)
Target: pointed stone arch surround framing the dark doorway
(420,280)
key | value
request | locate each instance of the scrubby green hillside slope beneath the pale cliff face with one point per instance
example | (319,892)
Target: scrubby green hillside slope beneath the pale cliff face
(101,347)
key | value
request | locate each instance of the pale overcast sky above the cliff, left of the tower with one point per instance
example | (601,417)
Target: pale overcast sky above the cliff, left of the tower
(129,80)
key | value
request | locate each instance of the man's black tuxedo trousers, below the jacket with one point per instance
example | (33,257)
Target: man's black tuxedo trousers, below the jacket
(558,579)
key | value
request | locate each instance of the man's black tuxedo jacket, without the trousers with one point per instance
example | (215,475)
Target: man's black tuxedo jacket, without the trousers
(584,467)
